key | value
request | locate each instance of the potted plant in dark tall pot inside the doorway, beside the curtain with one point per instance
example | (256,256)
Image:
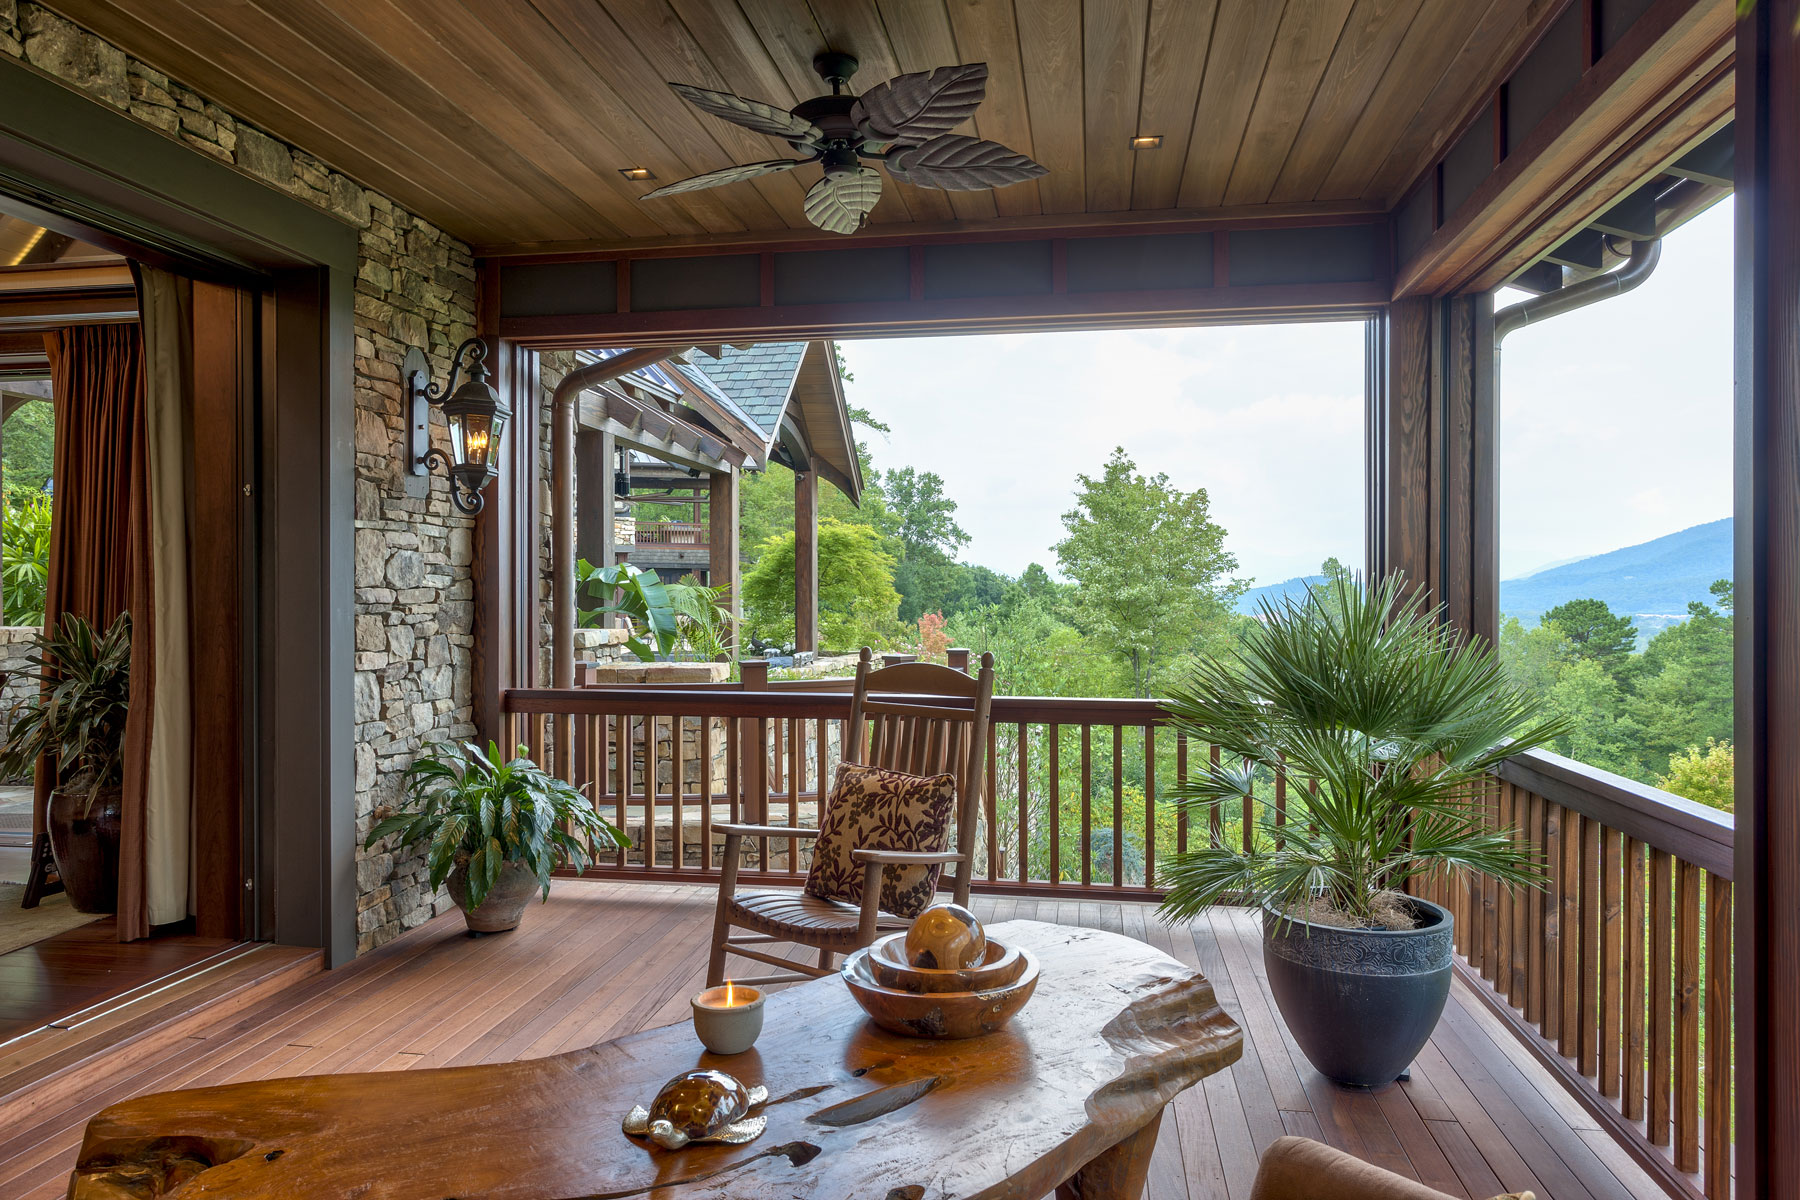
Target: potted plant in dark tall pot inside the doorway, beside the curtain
(78,715)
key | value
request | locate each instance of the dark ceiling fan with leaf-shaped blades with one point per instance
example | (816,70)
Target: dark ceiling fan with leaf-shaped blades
(904,125)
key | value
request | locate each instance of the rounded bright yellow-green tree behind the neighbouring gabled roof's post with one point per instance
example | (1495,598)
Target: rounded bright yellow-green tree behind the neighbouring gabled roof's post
(858,600)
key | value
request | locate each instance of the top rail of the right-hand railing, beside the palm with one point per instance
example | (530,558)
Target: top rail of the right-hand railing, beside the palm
(1659,819)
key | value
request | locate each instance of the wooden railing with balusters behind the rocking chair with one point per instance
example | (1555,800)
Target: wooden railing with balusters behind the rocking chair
(1077,800)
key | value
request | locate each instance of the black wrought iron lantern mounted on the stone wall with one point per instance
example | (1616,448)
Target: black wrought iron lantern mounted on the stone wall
(474,413)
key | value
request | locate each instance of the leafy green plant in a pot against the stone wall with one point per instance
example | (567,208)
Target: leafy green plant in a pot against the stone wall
(494,828)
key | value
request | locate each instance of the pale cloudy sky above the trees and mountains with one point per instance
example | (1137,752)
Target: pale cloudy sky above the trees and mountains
(1615,424)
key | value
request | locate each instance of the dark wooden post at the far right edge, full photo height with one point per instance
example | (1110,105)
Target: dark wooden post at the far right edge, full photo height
(1767,600)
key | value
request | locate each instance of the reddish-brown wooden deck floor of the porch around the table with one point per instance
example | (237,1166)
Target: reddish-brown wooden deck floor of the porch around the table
(604,960)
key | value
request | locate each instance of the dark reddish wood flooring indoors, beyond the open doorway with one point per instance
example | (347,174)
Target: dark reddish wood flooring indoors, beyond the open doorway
(78,969)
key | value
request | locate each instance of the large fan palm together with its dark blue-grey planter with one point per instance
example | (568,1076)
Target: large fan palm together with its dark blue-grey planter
(1398,721)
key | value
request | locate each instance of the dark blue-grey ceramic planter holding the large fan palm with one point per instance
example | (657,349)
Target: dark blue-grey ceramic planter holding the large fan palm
(1360,1003)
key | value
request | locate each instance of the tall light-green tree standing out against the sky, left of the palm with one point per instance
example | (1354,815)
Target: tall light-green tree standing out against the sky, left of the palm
(1151,568)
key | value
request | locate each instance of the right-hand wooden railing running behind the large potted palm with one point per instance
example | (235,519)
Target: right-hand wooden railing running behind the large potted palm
(1617,976)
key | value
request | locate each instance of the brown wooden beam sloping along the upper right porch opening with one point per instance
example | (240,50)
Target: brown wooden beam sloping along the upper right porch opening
(1642,103)
